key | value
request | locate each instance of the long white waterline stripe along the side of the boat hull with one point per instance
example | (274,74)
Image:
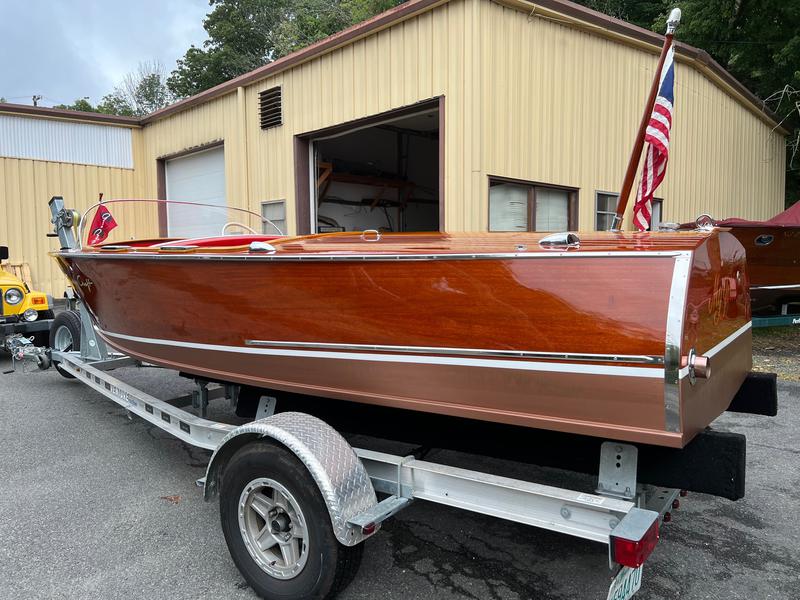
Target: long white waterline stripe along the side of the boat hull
(518,365)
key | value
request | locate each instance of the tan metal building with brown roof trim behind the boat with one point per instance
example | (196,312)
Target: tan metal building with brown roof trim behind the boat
(454,115)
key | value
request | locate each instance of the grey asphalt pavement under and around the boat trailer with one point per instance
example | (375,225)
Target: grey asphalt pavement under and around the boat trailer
(94,505)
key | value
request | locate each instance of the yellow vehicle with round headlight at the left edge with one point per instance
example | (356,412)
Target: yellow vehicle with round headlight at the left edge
(22,310)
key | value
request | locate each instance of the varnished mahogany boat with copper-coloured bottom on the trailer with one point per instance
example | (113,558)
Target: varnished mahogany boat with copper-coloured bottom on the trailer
(609,335)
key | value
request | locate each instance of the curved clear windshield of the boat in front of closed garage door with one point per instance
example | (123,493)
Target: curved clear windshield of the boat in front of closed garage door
(121,221)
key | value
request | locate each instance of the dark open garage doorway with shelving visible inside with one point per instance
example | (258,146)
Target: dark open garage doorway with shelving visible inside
(384,174)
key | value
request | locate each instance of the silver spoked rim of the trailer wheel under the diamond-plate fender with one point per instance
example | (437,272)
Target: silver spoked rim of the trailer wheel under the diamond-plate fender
(273,528)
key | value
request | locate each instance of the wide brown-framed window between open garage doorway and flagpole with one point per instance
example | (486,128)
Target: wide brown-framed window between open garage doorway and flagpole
(524,206)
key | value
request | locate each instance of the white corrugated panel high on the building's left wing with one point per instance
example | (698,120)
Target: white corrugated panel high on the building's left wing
(65,141)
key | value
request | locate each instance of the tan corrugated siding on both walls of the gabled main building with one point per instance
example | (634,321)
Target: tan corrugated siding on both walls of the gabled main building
(526,97)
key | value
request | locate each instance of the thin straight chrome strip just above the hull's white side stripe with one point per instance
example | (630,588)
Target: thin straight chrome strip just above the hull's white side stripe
(437,350)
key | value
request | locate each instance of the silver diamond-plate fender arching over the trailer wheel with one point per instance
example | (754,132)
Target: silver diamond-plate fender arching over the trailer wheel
(342,479)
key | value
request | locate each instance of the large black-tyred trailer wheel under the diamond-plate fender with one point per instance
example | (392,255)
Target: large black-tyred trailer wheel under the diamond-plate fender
(278,528)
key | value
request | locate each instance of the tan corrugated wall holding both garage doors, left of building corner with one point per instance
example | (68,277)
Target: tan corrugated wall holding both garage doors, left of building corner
(415,60)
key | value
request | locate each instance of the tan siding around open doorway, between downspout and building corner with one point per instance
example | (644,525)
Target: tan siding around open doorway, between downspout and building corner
(415,60)
